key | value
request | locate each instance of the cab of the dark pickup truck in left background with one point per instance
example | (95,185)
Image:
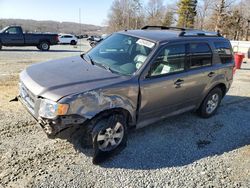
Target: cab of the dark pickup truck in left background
(13,36)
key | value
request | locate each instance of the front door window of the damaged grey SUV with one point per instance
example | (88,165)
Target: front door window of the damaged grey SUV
(170,60)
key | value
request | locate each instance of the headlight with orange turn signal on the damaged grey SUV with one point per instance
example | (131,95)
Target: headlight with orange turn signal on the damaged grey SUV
(51,109)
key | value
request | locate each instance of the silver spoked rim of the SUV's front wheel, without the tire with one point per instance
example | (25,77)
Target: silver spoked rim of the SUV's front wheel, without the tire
(110,138)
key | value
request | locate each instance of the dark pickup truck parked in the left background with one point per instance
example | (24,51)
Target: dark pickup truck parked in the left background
(14,36)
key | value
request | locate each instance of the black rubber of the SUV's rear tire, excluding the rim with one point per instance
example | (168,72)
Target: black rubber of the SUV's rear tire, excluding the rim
(202,109)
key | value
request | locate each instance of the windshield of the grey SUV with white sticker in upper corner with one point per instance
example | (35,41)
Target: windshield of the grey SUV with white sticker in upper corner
(121,53)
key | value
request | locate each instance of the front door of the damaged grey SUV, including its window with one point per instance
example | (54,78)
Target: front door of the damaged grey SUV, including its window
(163,91)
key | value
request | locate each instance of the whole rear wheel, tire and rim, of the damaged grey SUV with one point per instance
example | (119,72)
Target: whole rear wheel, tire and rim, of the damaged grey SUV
(211,103)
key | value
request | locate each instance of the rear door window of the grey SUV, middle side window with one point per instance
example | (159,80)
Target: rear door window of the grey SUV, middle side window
(200,55)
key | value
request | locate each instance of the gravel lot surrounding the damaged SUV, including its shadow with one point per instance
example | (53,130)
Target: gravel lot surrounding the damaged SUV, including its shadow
(183,151)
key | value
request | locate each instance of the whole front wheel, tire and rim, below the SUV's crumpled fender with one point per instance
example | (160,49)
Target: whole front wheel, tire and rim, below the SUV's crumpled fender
(109,137)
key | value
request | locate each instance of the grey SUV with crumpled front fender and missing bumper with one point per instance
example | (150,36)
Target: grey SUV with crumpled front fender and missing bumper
(131,79)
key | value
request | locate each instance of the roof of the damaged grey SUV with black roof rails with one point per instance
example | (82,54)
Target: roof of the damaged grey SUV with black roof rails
(163,35)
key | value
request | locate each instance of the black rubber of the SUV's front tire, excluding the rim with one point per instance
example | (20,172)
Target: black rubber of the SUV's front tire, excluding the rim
(103,124)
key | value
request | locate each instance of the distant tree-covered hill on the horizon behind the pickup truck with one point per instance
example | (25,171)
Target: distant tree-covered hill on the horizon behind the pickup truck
(52,26)
